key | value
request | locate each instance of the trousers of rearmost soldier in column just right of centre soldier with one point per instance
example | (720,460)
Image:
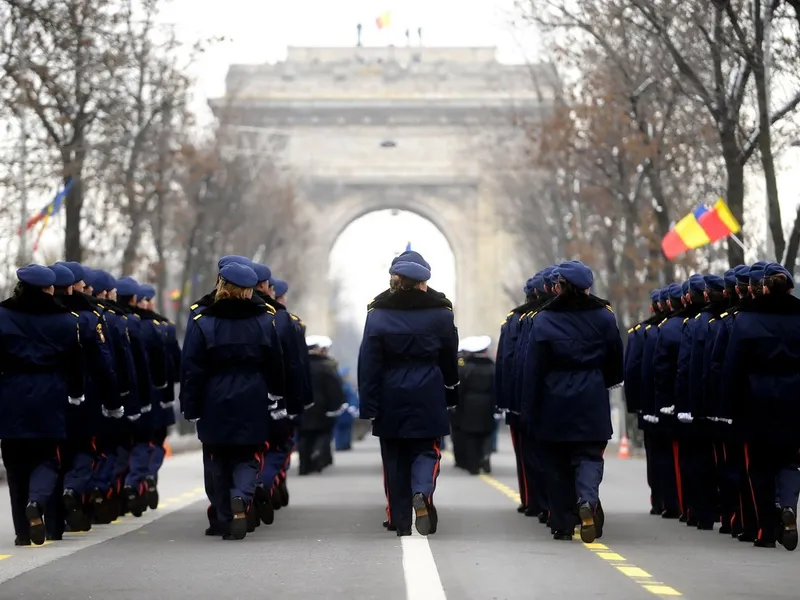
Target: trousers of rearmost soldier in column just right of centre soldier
(574,471)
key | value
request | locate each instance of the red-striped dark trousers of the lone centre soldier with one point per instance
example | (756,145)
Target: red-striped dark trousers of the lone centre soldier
(411,467)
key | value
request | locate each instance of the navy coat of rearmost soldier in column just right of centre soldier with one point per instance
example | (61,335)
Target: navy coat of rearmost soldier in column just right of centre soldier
(574,356)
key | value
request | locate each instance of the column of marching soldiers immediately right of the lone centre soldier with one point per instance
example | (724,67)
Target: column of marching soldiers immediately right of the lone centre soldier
(558,356)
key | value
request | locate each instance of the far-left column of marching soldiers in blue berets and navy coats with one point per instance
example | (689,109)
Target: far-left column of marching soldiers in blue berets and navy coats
(87,373)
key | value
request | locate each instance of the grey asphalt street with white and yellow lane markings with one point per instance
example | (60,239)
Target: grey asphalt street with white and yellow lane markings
(329,544)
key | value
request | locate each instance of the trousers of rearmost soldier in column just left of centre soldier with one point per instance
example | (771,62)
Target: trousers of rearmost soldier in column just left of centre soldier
(234,471)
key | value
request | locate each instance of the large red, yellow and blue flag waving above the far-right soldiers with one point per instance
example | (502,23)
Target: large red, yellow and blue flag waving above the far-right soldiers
(704,225)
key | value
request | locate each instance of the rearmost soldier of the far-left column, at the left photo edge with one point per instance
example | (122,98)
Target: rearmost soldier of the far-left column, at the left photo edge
(42,376)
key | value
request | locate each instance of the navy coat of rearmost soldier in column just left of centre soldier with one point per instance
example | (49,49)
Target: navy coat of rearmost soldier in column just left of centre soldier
(232,364)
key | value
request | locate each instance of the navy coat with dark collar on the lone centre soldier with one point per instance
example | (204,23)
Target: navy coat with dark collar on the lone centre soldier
(408,364)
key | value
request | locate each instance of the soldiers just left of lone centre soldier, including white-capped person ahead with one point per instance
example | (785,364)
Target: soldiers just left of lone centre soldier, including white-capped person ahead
(248,380)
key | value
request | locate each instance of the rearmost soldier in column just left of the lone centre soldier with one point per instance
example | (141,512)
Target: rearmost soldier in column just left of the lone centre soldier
(228,355)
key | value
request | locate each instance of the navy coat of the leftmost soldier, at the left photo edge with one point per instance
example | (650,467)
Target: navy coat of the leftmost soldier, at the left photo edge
(40,366)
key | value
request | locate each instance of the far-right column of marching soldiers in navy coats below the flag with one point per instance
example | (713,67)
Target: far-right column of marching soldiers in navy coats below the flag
(713,376)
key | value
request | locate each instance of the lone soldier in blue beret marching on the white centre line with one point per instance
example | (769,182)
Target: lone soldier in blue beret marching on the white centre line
(407,377)
